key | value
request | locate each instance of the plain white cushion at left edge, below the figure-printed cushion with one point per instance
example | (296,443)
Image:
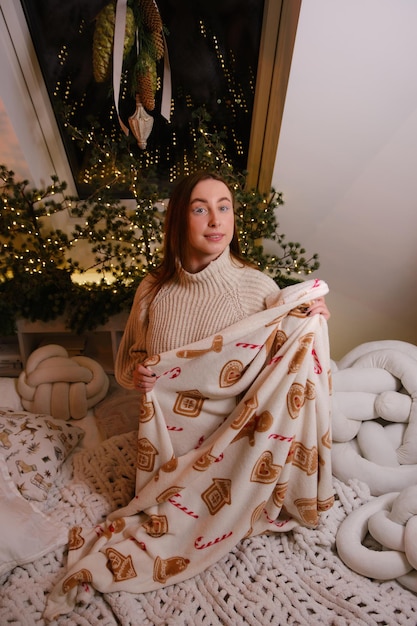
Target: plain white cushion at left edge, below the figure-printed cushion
(26,533)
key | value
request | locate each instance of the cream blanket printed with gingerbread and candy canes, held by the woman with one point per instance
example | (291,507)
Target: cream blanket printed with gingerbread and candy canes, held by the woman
(234,442)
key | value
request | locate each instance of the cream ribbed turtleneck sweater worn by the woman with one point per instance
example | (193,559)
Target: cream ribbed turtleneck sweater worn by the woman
(189,309)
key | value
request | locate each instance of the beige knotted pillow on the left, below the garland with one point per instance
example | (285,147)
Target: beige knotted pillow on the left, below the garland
(62,386)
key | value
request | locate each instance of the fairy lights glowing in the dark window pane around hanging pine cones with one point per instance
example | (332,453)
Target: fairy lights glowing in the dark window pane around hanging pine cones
(237,98)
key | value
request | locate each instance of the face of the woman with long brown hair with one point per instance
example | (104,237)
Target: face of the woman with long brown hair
(210,224)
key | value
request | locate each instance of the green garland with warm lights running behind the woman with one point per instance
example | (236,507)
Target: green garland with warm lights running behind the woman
(38,261)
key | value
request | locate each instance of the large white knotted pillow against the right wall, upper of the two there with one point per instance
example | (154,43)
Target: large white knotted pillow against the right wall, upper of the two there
(374,420)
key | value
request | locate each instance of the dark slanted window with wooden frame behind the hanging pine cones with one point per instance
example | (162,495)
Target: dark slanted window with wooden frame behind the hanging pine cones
(232,57)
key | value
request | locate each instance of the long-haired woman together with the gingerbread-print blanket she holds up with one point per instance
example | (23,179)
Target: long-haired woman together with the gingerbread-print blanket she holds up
(234,412)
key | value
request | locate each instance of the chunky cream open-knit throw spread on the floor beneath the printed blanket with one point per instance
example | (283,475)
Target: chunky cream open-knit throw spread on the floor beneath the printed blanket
(291,578)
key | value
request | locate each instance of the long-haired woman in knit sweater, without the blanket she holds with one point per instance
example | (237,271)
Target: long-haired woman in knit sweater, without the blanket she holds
(202,286)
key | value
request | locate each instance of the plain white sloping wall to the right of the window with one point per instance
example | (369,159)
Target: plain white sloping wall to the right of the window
(347,163)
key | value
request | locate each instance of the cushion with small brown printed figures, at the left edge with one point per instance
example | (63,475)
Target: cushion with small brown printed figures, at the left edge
(34,447)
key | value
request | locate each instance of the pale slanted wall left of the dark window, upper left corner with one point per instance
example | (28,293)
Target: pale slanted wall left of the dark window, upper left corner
(26,114)
